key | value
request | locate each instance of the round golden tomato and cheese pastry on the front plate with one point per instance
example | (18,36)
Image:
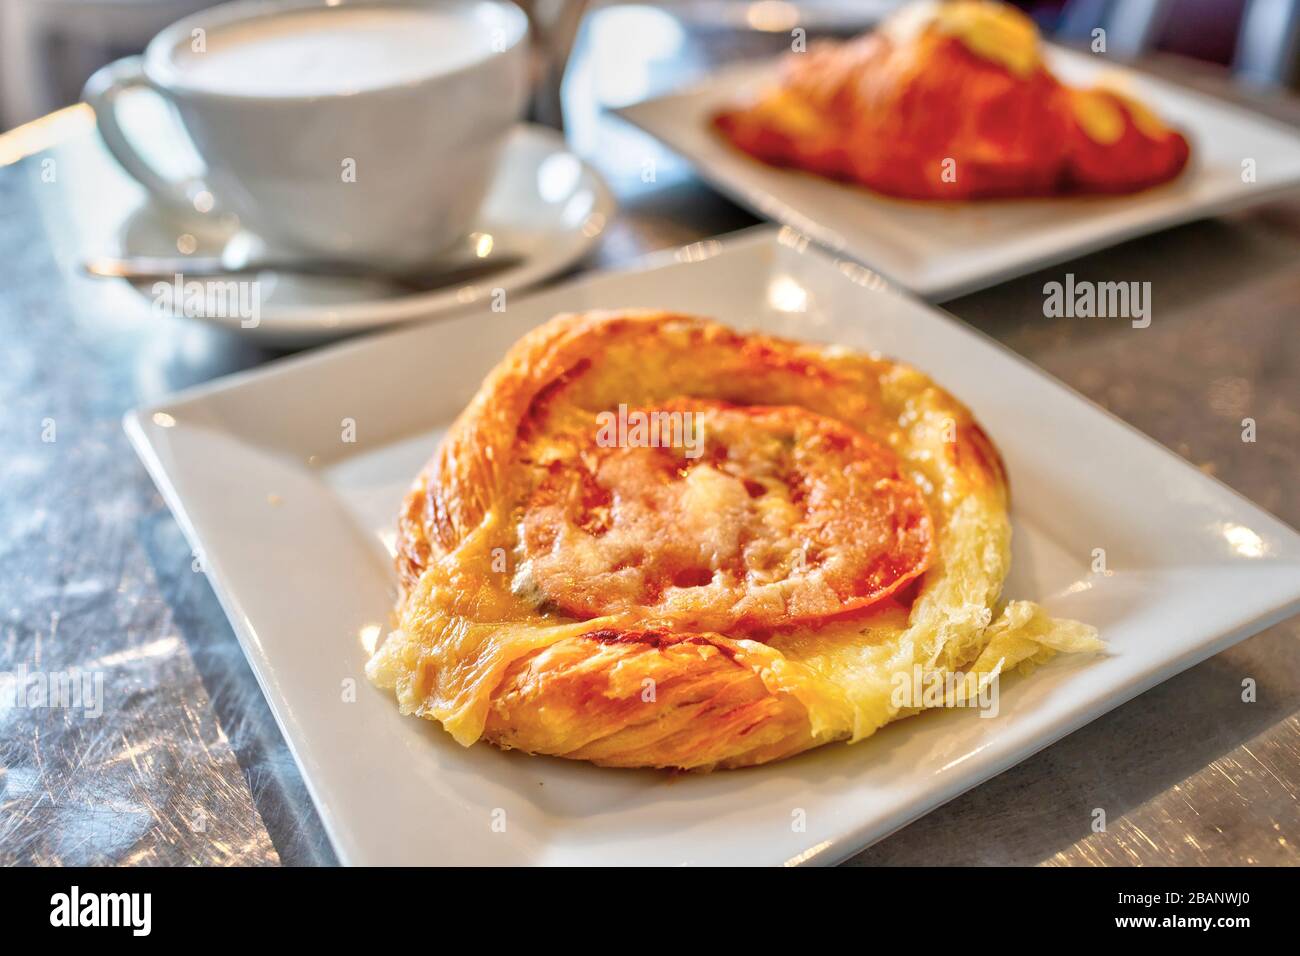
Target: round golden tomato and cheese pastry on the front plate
(653,542)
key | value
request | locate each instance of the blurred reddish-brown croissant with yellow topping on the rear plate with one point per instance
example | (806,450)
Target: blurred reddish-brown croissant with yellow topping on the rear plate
(952,101)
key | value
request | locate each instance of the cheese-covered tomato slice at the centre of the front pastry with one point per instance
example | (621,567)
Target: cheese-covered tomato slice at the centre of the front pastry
(781,517)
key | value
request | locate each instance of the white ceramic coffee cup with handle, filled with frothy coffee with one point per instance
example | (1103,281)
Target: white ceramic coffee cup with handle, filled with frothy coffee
(363,129)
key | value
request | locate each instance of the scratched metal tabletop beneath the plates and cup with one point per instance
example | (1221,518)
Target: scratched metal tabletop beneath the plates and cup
(185,764)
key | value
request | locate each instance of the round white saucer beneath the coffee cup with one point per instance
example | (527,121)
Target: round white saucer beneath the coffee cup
(545,206)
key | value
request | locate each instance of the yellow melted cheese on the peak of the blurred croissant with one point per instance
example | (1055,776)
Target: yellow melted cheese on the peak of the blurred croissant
(991,31)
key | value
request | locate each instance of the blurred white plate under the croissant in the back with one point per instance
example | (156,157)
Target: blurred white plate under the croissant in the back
(942,250)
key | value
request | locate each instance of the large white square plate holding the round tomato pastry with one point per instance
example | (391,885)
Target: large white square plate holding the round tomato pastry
(296,530)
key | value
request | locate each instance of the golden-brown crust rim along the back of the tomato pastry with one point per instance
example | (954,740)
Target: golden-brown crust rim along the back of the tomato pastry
(449,499)
